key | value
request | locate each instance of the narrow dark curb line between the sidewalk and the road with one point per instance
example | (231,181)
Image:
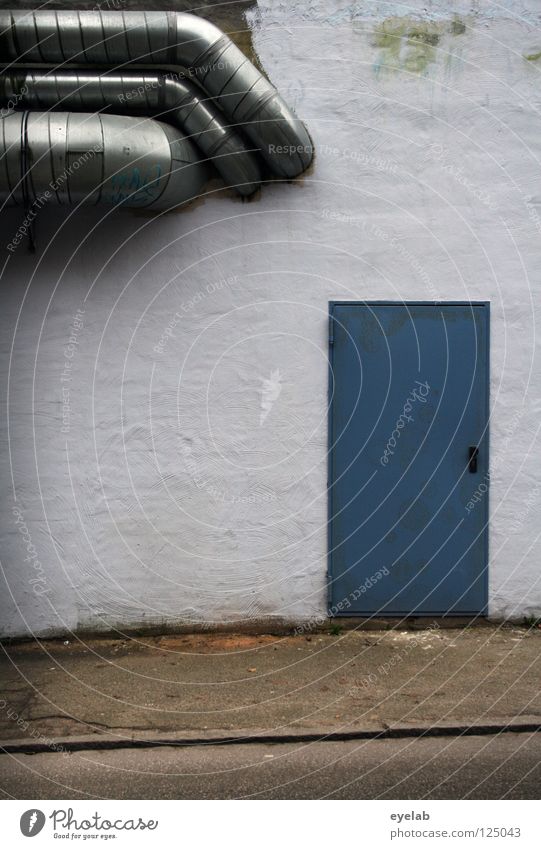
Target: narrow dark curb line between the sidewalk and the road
(76,744)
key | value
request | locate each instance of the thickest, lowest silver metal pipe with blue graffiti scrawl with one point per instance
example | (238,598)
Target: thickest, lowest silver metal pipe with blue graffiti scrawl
(68,158)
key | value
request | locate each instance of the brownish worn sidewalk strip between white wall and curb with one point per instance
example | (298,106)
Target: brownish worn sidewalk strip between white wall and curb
(213,686)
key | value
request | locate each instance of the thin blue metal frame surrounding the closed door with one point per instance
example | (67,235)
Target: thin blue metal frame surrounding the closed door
(330,443)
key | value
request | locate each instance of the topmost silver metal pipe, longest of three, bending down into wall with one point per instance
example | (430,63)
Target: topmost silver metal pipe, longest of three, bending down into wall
(165,38)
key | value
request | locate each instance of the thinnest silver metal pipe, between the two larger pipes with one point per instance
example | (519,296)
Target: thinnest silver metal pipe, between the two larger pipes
(176,101)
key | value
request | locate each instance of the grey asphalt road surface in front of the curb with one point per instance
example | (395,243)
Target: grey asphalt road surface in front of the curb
(506,766)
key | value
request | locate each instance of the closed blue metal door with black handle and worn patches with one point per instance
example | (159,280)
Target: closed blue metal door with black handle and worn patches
(408,458)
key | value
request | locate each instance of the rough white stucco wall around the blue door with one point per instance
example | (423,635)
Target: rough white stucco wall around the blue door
(188,485)
